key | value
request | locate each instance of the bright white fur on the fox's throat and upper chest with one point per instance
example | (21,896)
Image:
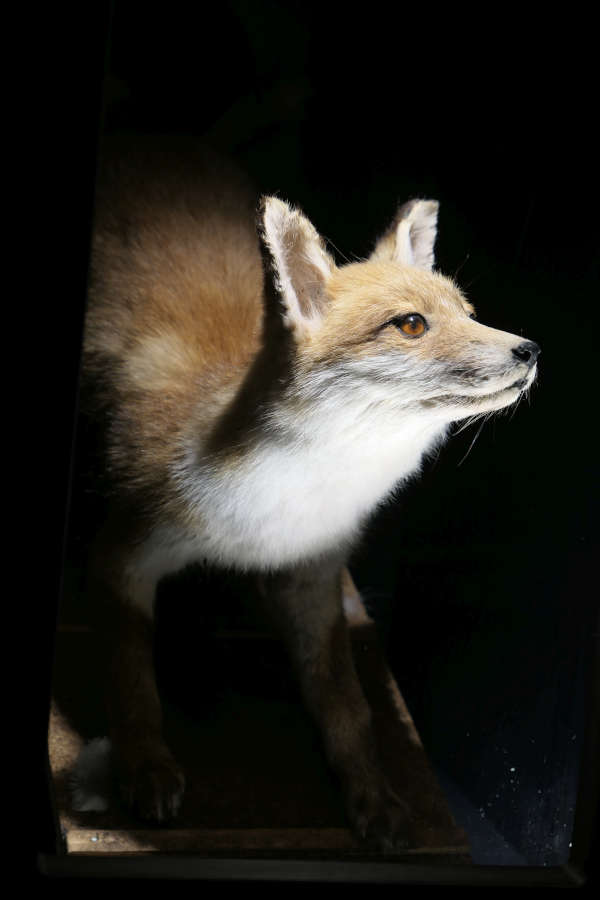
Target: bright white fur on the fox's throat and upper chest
(290,501)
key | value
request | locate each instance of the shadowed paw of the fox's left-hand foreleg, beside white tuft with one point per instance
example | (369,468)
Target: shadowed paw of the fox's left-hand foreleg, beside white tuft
(152,786)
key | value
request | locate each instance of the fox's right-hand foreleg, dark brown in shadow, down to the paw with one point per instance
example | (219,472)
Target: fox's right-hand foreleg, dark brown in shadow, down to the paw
(307,607)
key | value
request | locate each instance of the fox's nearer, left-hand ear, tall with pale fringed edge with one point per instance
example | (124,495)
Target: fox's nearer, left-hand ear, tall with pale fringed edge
(299,263)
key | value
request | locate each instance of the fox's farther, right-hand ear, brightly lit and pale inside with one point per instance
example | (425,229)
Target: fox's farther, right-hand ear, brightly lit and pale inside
(411,236)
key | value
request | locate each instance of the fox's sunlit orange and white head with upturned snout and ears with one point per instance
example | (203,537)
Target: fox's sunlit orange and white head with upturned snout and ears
(390,331)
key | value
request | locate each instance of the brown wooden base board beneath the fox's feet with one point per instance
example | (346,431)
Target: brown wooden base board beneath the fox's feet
(257,784)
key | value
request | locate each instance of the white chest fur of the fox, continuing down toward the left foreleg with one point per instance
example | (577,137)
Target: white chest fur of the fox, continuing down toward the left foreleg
(282,503)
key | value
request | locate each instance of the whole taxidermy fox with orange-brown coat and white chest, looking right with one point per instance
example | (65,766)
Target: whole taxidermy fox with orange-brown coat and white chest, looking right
(258,403)
